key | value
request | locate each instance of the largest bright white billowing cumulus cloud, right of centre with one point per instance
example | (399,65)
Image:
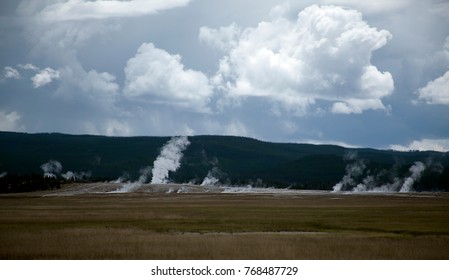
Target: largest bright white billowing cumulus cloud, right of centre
(324,55)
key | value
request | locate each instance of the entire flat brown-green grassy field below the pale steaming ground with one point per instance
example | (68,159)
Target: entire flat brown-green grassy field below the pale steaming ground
(224,226)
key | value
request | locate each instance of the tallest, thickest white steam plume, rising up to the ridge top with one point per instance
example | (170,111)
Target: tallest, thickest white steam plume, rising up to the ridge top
(169,159)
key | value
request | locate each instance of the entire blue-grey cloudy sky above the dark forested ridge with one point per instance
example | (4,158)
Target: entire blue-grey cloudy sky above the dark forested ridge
(353,73)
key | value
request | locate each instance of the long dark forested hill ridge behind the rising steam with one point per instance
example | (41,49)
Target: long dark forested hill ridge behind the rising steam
(231,160)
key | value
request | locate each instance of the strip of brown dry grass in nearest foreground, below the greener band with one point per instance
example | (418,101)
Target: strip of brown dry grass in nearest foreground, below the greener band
(137,244)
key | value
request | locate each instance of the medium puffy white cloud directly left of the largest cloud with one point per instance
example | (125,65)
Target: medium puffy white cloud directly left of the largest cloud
(155,76)
